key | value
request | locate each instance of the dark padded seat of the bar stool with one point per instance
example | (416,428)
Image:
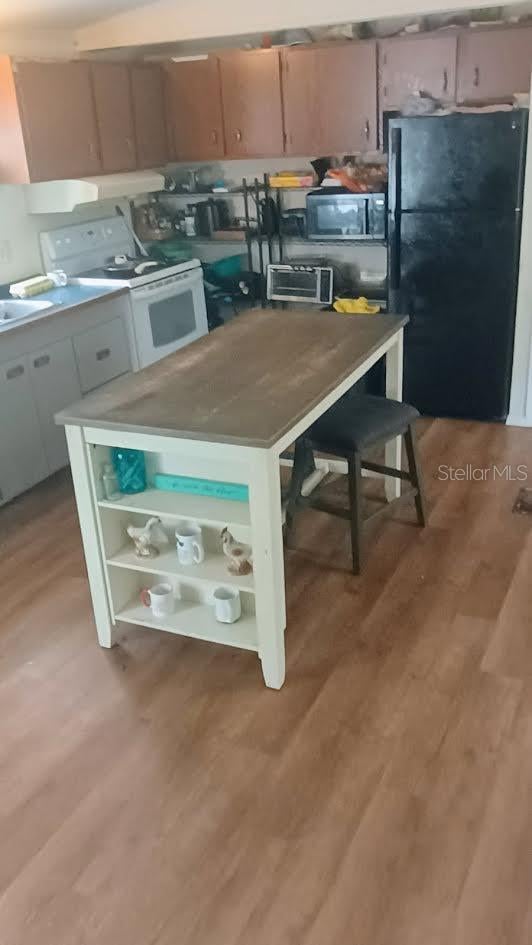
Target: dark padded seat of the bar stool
(358,421)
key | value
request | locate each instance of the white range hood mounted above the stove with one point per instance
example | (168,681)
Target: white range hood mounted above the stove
(62,196)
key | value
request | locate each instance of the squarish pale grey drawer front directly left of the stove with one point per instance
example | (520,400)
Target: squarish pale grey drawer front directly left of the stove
(102,353)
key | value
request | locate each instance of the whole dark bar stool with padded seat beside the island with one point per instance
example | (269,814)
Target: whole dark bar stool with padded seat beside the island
(354,424)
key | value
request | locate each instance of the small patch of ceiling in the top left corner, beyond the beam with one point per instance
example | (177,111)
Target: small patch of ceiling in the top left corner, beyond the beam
(60,14)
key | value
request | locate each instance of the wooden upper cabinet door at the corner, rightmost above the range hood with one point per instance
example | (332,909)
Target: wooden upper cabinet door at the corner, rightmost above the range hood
(147,91)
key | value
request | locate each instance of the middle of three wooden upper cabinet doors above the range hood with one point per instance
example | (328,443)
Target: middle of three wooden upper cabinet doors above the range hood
(114,113)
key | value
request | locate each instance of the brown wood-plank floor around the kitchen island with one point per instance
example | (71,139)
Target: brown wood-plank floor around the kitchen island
(158,794)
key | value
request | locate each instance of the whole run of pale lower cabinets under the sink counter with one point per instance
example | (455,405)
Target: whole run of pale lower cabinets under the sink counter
(58,362)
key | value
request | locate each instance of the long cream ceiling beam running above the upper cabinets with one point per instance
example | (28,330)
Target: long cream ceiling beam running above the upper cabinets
(167,21)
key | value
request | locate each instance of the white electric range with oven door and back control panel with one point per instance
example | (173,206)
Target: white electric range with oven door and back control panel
(168,307)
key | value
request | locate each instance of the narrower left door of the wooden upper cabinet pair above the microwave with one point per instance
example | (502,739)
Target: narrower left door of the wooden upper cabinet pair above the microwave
(300,101)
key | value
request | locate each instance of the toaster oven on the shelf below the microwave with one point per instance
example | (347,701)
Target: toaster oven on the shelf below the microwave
(299,282)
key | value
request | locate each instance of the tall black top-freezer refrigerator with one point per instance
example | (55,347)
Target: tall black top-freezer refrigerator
(454,227)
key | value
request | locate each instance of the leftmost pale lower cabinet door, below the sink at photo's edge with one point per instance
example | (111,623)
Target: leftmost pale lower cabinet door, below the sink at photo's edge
(22,458)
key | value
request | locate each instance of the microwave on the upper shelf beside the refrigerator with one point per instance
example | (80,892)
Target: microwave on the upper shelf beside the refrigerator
(334,213)
